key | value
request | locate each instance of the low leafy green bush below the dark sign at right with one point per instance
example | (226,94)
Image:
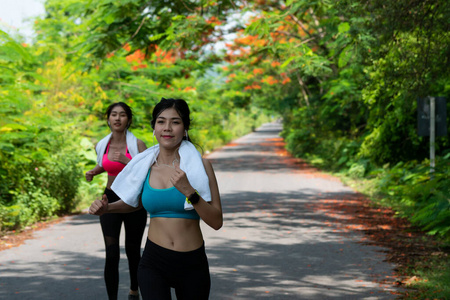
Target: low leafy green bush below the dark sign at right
(418,195)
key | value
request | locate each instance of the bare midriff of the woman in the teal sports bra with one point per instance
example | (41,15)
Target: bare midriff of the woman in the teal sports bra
(176,234)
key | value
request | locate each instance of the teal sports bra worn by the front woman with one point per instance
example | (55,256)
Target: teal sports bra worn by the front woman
(165,203)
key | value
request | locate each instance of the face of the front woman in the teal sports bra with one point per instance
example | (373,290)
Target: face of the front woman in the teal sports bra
(169,128)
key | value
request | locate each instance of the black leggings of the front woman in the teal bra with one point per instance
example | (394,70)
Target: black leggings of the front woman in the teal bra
(161,268)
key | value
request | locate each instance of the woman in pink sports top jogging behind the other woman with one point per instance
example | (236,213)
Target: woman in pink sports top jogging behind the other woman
(114,159)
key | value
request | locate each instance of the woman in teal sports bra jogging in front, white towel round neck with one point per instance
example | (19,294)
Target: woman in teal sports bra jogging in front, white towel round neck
(178,188)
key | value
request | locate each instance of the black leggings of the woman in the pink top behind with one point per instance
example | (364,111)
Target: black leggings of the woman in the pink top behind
(135,223)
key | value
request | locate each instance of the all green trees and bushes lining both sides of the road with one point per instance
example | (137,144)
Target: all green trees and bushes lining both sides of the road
(344,75)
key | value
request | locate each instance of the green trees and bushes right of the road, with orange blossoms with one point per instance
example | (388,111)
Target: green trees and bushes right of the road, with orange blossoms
(355,71)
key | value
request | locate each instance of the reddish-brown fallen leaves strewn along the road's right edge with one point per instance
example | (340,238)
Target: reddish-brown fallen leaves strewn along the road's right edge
(405,245)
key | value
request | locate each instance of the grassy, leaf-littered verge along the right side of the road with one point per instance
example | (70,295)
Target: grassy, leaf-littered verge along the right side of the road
(422,260)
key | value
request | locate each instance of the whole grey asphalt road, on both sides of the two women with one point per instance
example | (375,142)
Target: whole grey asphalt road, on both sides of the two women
(272,244)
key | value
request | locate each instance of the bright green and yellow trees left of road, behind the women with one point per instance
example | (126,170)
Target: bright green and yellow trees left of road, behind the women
(53,101)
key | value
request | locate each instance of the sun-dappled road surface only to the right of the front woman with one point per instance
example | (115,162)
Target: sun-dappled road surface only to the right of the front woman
(281,238)
